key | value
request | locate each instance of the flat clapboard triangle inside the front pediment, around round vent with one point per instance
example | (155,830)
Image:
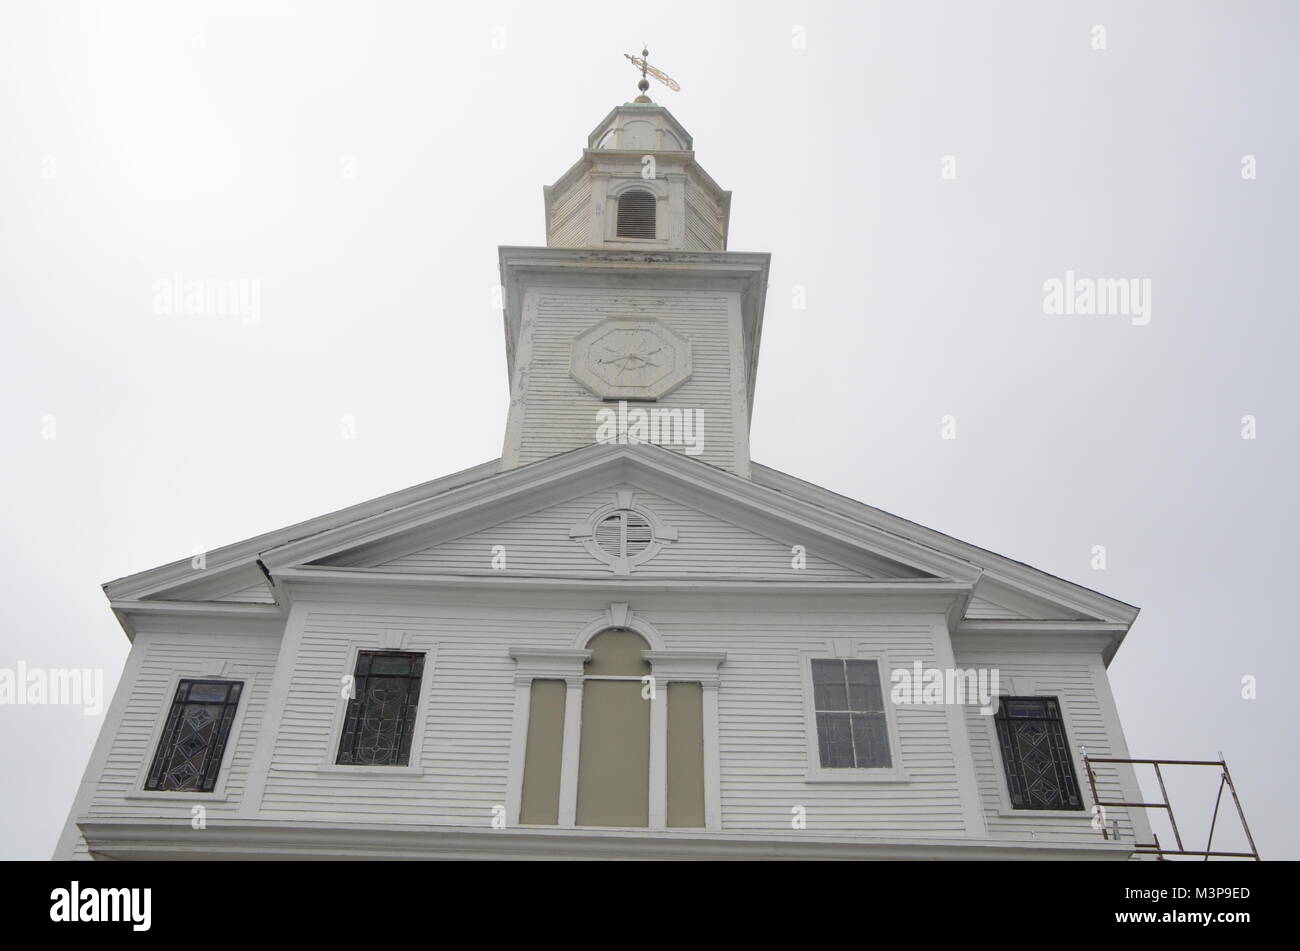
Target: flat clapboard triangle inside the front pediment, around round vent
(552,541)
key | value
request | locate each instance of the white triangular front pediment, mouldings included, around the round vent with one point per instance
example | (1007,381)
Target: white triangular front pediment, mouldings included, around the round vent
(725,527)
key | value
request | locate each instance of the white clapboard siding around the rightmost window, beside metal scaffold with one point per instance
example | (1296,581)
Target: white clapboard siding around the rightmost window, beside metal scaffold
(1072,681)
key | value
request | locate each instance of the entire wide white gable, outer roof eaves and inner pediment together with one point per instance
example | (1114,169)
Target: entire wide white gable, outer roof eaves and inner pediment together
(720,526)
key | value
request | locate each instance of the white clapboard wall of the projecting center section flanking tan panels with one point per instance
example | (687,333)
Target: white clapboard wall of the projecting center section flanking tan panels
(467,728)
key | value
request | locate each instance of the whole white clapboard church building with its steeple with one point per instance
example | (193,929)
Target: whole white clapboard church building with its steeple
(623,639)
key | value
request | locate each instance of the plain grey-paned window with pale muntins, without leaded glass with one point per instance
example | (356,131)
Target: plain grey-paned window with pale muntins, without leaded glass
(852,729)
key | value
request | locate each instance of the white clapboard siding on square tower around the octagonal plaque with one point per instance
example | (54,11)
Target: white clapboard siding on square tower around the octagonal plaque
(561,414)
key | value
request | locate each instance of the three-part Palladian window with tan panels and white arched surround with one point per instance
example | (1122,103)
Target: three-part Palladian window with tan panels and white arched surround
(617,731)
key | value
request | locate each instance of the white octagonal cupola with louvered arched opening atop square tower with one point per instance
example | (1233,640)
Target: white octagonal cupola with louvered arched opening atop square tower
(638,186)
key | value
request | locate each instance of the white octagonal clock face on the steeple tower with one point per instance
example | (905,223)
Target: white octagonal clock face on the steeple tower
(631,359)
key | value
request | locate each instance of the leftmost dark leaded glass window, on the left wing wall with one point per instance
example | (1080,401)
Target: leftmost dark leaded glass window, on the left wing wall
(194,739)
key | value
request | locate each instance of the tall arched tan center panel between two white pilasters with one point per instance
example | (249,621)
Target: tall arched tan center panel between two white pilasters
(614,753)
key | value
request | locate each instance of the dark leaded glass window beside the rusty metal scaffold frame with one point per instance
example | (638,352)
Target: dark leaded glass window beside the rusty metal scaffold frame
(1035,753)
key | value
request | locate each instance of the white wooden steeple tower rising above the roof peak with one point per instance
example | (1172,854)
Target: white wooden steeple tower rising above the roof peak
(634,324)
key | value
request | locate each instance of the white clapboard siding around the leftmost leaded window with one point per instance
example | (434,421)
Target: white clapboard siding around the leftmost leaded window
(166,655)
